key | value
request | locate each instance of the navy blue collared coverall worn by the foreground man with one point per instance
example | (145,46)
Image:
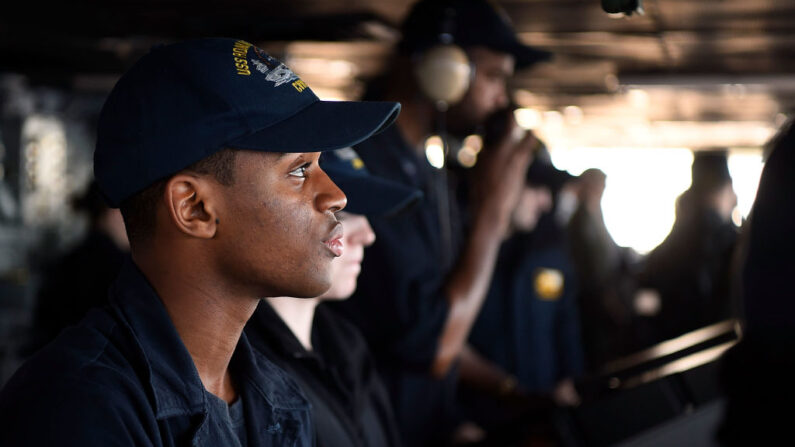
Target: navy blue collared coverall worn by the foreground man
(123,377)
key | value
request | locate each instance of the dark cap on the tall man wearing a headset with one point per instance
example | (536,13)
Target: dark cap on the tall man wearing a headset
(466,23)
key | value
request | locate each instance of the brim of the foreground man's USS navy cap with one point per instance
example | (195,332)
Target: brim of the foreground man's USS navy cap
(323,126)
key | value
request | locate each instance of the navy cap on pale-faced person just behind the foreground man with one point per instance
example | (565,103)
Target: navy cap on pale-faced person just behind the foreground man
(367,194)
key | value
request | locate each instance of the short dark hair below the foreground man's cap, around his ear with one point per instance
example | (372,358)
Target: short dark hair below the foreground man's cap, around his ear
(139,210)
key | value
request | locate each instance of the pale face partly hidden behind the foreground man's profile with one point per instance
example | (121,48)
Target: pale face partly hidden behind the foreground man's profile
(345,269)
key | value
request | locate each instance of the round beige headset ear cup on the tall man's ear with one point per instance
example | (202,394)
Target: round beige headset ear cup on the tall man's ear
(444,73)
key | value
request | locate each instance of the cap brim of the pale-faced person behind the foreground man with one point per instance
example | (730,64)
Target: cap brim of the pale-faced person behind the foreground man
(373,196)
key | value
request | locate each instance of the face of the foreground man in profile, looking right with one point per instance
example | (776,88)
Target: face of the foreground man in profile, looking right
(281,230)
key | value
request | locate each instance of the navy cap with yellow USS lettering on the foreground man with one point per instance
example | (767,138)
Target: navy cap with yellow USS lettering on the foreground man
(183,102)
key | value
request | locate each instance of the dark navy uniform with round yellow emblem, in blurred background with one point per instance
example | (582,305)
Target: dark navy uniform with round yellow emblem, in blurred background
(529,324)
